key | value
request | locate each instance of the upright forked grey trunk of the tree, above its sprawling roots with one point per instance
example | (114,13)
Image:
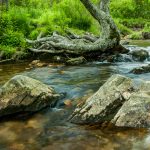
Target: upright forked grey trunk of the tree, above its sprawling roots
(102,15)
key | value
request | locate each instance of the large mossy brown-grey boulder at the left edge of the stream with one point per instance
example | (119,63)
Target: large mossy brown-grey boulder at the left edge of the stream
(24,94)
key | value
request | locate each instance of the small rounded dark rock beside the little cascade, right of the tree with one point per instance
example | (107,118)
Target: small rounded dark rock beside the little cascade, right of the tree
(140,55)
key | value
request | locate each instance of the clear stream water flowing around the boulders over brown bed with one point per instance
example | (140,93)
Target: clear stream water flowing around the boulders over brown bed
(50,130)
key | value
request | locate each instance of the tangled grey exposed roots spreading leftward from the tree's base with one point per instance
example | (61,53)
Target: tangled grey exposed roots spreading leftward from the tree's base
(71,44)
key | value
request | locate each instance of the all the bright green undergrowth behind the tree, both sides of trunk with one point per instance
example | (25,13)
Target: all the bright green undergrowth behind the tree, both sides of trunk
(28,18)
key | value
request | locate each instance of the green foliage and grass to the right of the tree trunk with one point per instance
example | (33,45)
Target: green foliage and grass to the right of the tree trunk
(131,15)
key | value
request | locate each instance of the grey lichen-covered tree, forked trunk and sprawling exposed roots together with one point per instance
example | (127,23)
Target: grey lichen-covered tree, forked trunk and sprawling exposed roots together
(108,40)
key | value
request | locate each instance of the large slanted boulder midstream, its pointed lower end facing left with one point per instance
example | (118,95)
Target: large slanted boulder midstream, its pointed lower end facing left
(104,104)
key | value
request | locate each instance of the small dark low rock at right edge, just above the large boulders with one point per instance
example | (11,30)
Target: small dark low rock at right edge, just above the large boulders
(141,70)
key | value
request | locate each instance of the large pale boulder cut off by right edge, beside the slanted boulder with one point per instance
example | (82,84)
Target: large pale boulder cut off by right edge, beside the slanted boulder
(136,111)
